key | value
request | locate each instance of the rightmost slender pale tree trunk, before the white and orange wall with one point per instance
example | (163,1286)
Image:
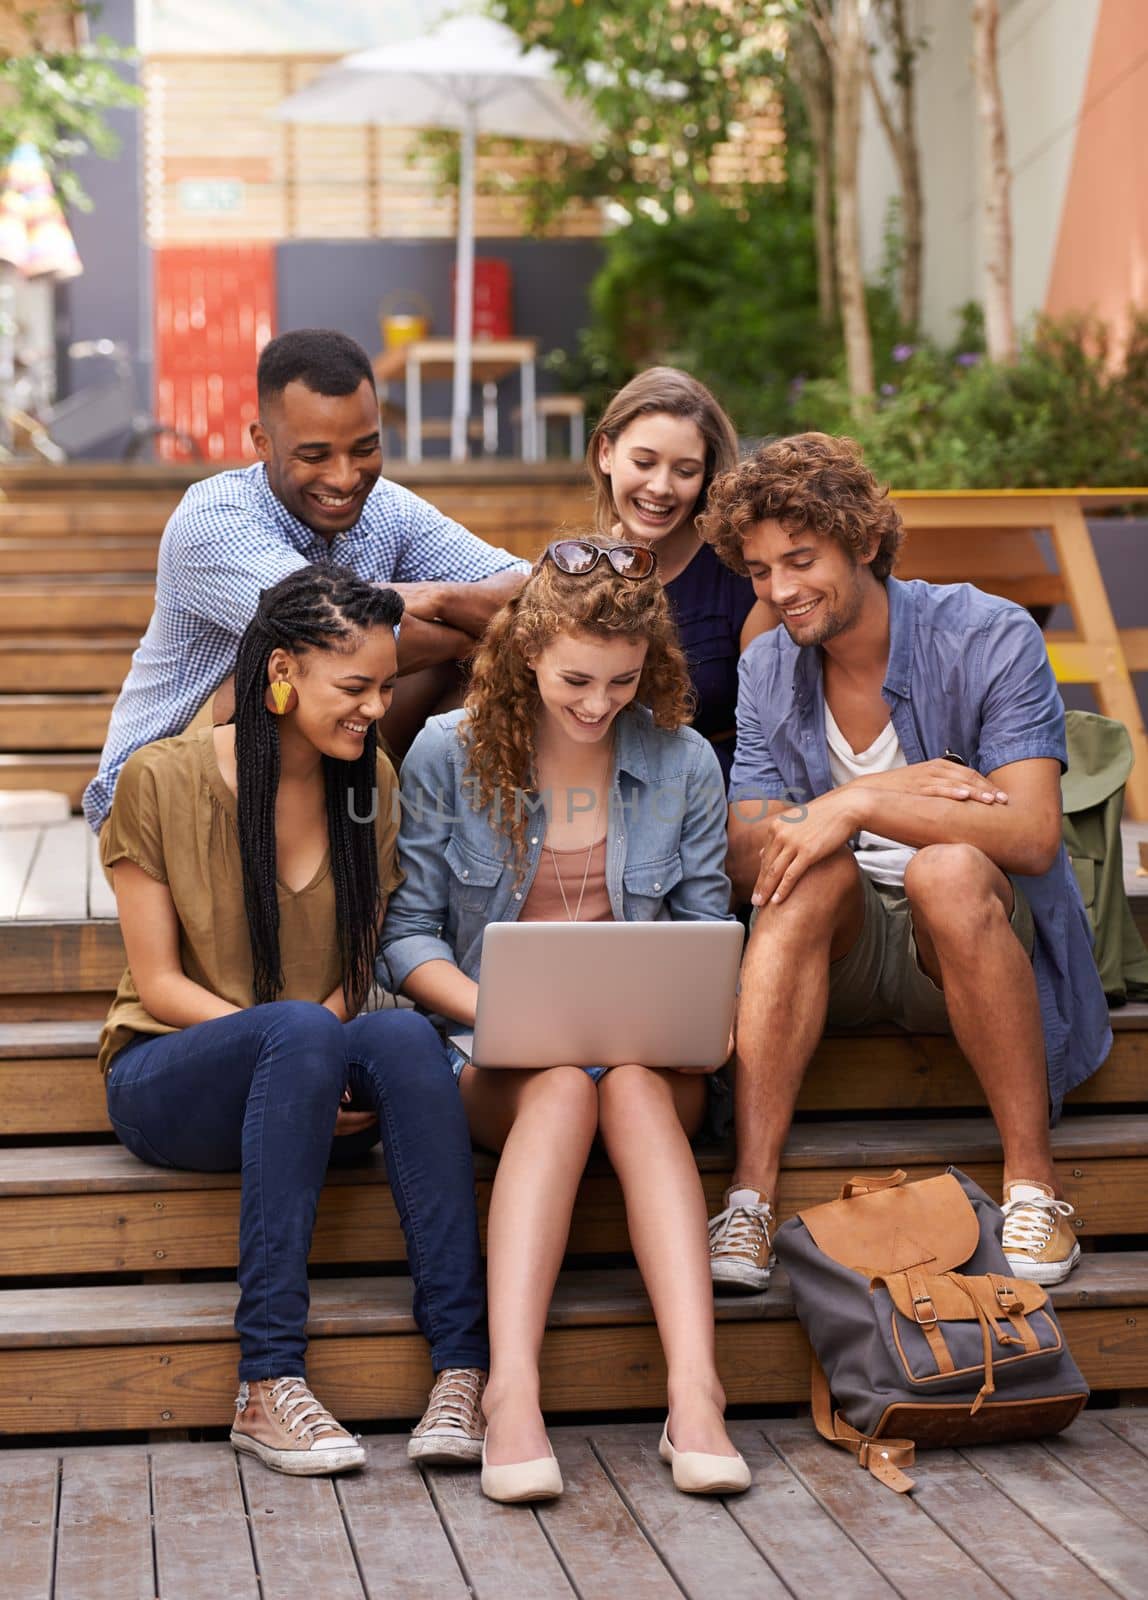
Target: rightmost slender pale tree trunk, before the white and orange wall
(997,215)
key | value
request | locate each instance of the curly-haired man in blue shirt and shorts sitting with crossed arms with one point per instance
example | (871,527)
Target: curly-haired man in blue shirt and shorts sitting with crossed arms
(896,823)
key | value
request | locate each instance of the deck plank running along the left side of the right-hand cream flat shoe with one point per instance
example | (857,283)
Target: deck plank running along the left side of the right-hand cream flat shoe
(703,1546)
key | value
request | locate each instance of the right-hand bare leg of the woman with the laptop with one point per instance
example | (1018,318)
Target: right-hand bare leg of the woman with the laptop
(645,1118)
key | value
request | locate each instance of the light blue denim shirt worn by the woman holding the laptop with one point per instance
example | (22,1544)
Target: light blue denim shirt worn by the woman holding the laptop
(664,857)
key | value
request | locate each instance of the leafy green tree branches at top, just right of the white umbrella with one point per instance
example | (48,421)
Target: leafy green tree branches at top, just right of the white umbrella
(666,79)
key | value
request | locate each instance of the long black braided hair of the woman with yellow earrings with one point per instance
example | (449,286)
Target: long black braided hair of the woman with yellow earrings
(313,609)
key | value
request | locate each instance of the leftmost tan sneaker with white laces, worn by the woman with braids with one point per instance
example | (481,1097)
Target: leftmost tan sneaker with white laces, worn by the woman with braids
(281,1422)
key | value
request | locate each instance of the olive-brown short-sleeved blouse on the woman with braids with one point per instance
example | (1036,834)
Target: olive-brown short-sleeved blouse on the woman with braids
(177,818)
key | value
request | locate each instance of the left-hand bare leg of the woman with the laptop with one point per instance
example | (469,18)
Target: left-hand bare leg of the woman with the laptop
(544,1124)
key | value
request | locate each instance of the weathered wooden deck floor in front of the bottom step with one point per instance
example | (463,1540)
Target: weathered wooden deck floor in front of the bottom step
(188,1522)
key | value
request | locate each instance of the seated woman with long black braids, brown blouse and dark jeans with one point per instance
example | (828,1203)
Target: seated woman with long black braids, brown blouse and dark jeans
(252,868)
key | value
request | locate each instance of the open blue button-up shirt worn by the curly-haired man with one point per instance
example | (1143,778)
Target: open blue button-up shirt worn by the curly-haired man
(968,673)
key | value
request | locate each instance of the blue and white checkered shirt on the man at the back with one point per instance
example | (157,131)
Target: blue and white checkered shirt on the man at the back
(228,540)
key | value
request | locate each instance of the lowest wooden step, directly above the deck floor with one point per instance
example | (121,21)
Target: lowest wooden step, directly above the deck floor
(164,1356)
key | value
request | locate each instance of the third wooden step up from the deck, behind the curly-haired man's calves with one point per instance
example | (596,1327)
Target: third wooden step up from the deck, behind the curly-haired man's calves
(49,1084)
